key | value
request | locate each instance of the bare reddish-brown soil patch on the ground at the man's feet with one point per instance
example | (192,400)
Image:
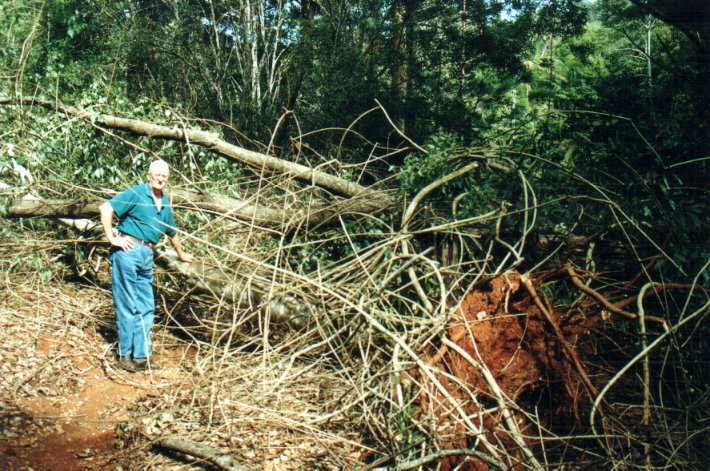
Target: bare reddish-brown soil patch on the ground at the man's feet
(75,428)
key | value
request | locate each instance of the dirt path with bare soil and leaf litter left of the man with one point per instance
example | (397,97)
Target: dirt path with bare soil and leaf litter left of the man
(63,401)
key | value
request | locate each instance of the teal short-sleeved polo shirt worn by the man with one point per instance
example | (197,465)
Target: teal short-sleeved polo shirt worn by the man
(139,217)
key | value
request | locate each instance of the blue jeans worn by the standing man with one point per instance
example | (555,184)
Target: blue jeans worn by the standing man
(133,300)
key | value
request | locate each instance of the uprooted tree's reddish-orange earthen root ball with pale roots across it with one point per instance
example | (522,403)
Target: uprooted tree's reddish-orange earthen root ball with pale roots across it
(496,347)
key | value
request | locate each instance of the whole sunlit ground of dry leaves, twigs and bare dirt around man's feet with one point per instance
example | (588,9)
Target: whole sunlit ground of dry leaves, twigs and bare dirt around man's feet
(64,405)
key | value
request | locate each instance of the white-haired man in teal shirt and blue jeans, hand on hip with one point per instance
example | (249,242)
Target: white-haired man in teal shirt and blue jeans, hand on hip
(144,215)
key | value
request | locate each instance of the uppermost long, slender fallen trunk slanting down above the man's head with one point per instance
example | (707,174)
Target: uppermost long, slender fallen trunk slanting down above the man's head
(369,200)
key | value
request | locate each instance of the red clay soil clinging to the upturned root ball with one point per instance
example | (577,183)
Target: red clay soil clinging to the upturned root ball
(500,327)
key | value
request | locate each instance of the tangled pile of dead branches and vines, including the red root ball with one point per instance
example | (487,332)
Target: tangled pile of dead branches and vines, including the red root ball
(437,356)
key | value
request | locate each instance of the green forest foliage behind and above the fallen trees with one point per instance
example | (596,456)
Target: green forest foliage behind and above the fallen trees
(574,107)
